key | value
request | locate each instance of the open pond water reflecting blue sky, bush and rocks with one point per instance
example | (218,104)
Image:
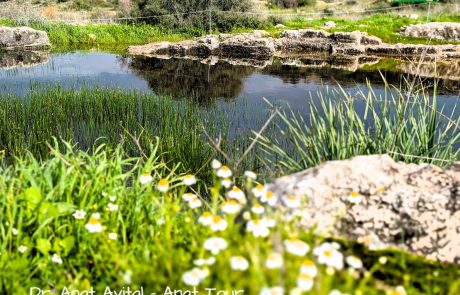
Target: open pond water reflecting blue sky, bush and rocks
(239,87)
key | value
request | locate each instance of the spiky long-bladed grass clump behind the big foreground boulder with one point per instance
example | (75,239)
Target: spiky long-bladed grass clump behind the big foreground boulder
(411,128)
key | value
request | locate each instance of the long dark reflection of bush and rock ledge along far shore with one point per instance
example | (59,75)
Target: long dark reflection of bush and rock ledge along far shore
(190,78)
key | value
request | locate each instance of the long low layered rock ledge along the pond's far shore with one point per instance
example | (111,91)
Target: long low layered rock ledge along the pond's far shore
(260,46)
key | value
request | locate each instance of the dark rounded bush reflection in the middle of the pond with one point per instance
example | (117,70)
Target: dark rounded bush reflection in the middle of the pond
(190,78)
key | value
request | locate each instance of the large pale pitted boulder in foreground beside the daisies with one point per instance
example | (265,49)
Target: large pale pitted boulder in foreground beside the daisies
(408,206)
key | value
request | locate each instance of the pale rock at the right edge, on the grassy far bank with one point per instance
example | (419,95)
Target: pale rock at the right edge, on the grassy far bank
(443,31)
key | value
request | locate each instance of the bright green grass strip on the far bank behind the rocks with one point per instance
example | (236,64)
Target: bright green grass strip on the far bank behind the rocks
(119,36)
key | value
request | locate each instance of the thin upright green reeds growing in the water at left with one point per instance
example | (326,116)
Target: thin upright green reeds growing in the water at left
(107,115)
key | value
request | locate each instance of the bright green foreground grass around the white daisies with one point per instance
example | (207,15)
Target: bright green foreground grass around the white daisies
(158,236)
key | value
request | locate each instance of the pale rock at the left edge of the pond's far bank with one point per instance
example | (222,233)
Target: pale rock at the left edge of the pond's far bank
(23,38)
